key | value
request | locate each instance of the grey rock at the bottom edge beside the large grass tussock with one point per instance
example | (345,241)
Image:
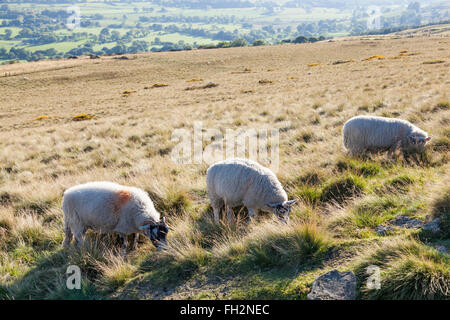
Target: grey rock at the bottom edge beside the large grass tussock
(334,285)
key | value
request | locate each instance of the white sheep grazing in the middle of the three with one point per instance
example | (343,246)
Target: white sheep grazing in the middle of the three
(235,182)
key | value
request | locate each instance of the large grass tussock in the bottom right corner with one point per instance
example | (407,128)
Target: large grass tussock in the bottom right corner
(409,271)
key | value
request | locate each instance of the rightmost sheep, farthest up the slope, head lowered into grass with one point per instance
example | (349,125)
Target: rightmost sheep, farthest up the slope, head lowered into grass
(372,134)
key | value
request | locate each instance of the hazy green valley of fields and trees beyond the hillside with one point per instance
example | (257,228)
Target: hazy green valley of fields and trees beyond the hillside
(35,27)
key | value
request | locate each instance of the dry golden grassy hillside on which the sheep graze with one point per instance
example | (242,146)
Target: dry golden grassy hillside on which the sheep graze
(306,94)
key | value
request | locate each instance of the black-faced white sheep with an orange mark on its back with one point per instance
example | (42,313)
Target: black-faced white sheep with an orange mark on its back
(108,207)
